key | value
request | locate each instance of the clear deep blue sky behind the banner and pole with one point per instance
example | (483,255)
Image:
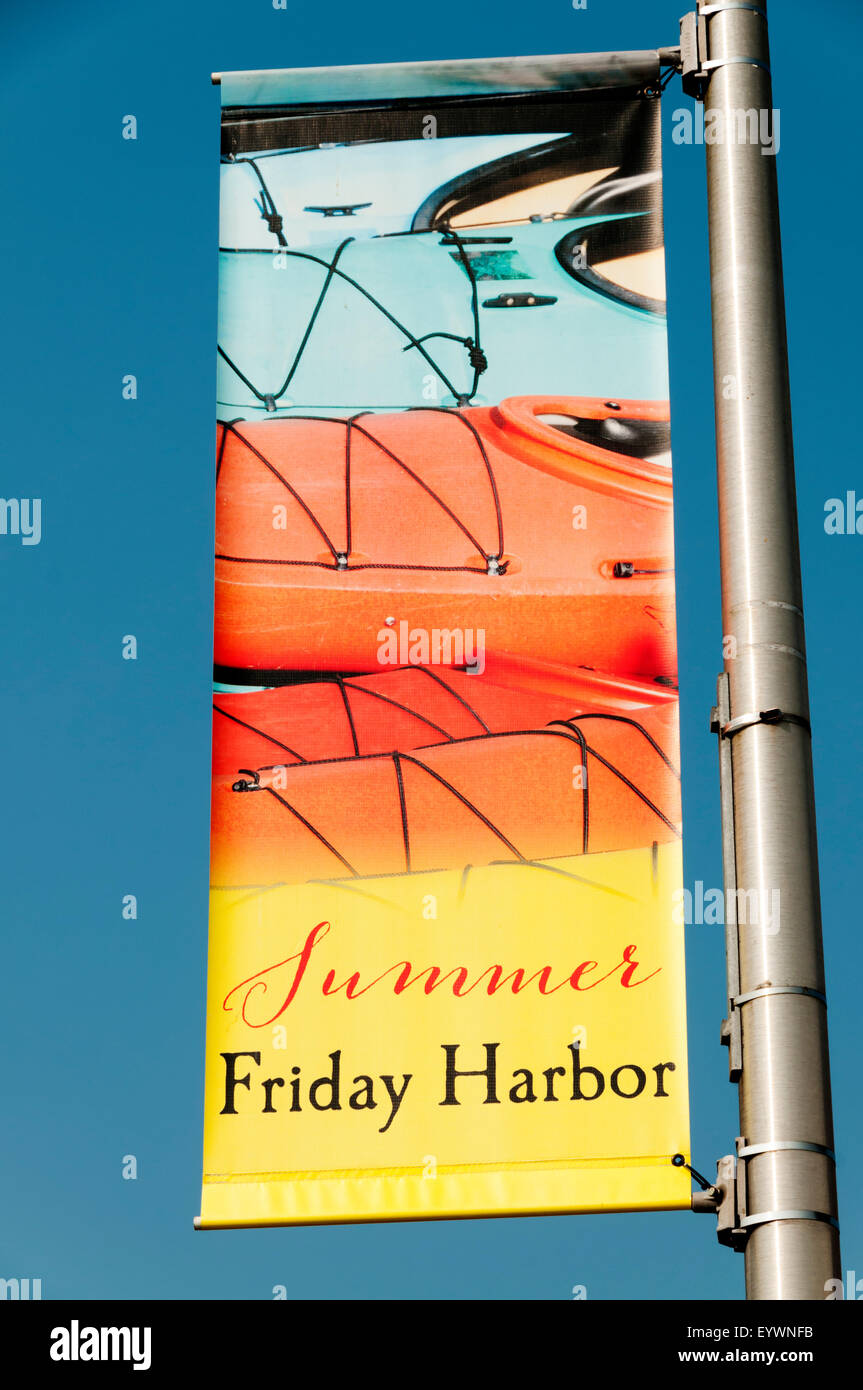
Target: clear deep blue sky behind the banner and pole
(112,269)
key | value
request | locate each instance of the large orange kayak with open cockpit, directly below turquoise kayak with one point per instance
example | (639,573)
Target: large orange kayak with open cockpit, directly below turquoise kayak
(543,525)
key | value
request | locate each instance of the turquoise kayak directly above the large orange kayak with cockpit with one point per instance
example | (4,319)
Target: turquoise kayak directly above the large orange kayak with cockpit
(434,318)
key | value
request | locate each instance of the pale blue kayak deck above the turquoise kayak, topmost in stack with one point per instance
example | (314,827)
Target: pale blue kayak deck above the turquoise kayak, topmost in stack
(293,198)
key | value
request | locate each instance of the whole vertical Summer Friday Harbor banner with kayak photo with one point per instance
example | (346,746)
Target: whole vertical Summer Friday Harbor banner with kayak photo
(445,974)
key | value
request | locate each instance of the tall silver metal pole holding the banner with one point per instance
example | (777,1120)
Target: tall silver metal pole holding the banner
(784,1088)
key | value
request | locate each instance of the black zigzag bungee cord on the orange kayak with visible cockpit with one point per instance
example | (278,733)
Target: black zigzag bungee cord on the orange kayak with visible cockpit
(495,564)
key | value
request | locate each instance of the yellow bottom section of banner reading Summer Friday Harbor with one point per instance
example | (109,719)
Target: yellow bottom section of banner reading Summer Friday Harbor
(507,1040)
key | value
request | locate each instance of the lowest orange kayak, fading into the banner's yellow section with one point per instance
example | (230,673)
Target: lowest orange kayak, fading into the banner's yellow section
(582,785)
